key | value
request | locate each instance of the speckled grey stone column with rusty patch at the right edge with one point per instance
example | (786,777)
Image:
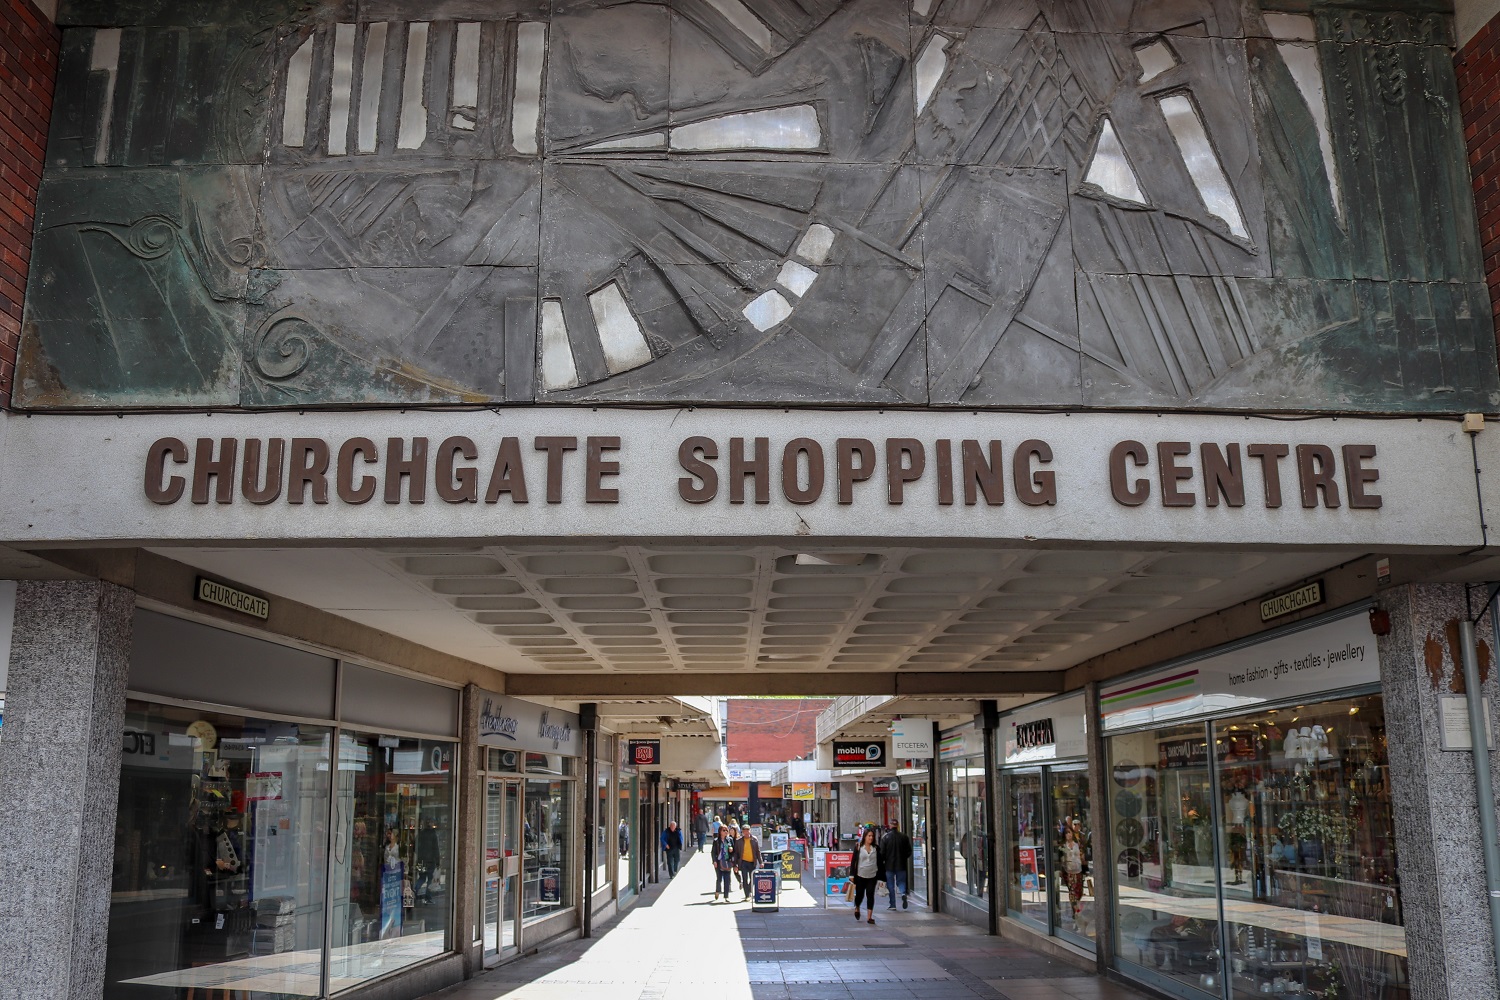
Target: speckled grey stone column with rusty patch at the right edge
(1442,866)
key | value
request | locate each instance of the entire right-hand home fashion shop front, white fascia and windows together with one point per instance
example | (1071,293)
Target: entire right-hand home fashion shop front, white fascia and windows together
(1253,837)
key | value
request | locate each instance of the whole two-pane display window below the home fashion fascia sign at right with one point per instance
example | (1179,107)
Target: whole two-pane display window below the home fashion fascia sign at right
(1286,827)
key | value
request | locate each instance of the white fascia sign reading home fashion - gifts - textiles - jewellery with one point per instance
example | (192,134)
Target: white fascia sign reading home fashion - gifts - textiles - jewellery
(1339,654)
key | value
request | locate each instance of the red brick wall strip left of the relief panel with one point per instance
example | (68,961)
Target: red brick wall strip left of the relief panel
(28,68)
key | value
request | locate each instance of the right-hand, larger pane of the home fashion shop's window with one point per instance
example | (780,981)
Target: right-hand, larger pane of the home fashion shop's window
(1309,858)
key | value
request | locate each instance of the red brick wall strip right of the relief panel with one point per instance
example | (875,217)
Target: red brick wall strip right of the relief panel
(1478,67)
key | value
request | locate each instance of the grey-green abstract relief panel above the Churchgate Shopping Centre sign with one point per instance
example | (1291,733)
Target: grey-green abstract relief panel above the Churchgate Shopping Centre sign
(949,203)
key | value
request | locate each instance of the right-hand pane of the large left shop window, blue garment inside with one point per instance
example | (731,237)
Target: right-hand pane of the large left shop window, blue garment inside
(392,855)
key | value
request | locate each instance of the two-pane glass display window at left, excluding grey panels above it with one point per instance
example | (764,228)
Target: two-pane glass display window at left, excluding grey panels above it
(223,864)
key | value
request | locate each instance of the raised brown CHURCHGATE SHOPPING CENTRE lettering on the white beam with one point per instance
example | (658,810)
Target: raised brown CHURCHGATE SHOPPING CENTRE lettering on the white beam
(749,470)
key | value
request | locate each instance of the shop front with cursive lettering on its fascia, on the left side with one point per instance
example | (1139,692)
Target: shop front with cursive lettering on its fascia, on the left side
(530,833)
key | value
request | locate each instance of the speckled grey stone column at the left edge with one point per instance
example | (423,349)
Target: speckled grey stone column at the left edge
(59,786)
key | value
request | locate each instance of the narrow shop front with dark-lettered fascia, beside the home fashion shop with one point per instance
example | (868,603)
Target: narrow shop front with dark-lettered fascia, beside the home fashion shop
(1046,824)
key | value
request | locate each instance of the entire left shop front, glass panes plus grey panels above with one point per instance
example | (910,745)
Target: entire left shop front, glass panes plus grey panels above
(278,849)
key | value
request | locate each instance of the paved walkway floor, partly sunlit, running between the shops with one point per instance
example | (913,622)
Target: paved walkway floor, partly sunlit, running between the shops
(679,944)
